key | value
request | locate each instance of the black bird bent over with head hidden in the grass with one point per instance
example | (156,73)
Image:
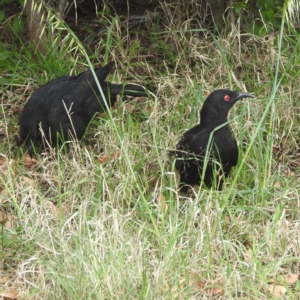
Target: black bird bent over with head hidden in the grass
(62,108)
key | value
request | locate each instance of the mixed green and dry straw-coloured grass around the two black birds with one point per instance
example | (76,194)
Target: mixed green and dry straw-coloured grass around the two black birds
(74,228)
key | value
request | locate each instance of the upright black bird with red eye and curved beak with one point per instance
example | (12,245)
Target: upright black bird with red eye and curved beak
(211,139)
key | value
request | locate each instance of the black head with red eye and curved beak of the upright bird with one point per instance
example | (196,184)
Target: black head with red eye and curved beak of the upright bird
(218,104)
